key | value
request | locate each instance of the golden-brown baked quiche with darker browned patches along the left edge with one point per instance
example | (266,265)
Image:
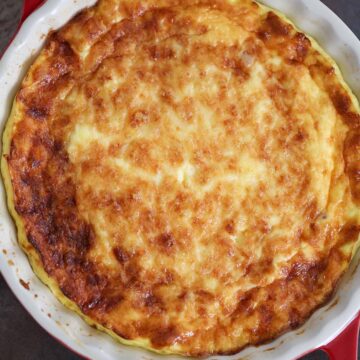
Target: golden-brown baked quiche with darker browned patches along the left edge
(185,174)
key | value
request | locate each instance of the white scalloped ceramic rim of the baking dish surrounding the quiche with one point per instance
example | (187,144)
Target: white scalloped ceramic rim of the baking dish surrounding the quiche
(309,15)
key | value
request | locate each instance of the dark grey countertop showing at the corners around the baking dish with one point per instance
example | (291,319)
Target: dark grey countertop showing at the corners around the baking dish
(21,338)
